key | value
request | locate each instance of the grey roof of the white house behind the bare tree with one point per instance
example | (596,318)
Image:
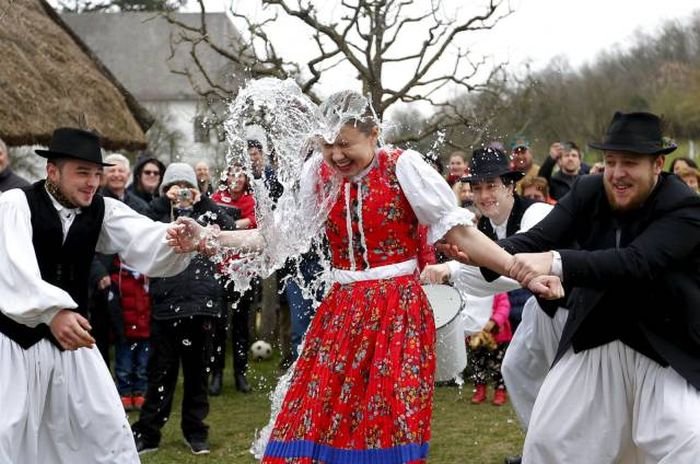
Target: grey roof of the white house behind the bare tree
(141,48)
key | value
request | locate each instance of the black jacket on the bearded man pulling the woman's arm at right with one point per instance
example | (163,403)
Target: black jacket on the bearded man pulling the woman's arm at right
(635,278)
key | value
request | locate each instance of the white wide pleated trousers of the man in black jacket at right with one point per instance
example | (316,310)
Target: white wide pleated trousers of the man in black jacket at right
(611,404)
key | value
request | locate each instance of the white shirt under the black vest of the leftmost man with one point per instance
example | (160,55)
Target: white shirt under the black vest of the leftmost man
(29,300)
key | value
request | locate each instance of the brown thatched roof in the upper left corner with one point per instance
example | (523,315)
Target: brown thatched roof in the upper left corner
(49,78)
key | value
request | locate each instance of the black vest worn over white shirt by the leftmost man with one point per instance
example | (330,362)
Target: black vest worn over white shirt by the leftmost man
(63,264)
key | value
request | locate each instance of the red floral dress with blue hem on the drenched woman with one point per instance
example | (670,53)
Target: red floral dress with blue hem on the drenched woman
(362,388)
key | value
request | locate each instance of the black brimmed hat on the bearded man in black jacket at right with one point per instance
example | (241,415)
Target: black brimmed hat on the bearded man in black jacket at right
(635,133)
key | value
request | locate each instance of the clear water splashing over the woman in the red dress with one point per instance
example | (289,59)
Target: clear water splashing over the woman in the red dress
(287,119)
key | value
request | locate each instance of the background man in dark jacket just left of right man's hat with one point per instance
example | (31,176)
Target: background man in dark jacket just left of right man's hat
(568,157)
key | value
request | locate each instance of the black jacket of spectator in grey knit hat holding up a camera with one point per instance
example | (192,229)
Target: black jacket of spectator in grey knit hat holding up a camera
(196,291)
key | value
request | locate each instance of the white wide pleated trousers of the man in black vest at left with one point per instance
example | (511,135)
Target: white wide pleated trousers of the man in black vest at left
(60,408)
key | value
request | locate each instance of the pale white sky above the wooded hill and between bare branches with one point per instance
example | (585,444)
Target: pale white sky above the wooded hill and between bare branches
(536,32)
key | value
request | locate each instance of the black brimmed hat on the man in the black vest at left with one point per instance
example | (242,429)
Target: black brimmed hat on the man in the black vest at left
(67,142)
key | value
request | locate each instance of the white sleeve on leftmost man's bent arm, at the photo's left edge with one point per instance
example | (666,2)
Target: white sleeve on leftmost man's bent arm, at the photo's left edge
(24,296)
